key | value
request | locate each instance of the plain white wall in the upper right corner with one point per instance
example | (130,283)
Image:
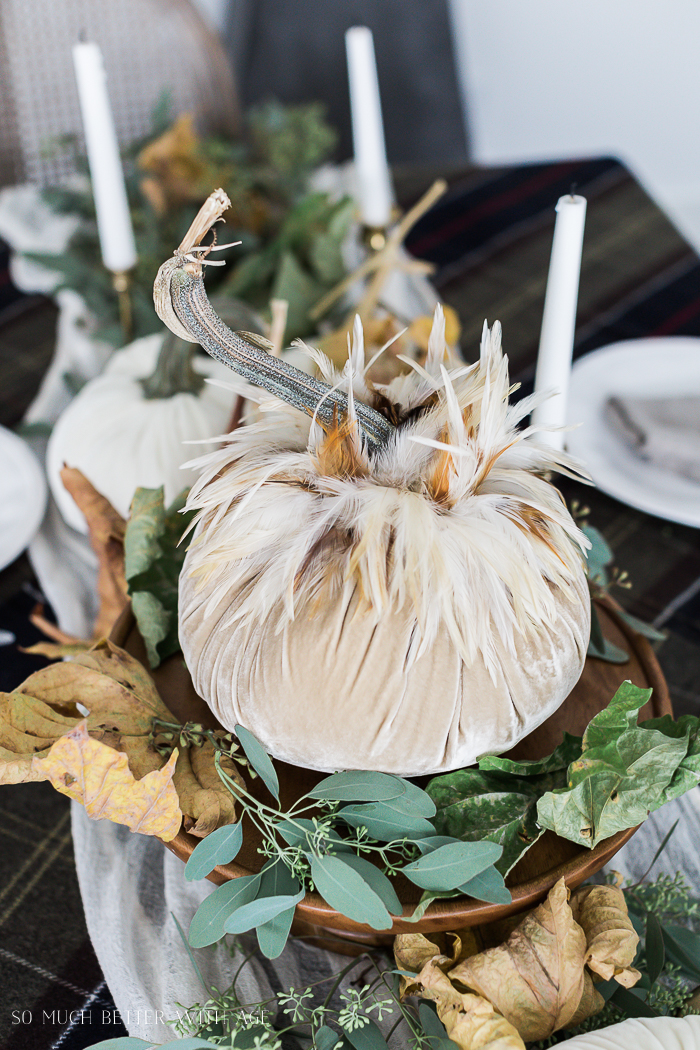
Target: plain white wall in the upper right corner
(555,79)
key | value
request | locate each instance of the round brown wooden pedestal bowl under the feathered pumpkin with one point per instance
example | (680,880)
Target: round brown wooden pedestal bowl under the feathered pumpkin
(534,876)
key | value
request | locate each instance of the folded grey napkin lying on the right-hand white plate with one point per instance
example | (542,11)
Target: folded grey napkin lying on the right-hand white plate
(665,432)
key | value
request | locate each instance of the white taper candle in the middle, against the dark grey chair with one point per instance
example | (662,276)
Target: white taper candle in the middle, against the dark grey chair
(374,181)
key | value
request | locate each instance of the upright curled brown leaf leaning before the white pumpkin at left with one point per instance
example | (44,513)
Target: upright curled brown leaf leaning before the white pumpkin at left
(107,529)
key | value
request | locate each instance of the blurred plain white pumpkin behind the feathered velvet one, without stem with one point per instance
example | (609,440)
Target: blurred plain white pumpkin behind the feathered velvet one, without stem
(121,440)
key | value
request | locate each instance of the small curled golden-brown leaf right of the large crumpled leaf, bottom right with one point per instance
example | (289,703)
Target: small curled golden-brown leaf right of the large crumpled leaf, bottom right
(612,940)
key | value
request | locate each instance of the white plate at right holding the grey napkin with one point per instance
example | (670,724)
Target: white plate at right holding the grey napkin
(639,368)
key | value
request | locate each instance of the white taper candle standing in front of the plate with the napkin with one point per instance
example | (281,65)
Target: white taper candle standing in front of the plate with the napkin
(559,323)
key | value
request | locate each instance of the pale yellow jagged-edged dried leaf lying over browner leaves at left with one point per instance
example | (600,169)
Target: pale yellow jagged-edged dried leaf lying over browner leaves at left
(98,776)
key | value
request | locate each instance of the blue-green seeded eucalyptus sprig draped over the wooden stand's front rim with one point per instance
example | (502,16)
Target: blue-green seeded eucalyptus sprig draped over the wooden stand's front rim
(345,838)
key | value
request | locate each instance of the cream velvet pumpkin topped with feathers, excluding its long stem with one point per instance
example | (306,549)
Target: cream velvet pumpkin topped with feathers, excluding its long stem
(406,610)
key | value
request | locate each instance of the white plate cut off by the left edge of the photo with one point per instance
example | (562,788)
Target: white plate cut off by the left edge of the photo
(23,496)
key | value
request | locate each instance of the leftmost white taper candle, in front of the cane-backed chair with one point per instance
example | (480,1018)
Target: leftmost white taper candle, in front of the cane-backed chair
(117,244)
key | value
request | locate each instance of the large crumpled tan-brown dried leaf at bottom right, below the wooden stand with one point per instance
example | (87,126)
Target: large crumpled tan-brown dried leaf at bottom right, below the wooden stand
(537,978)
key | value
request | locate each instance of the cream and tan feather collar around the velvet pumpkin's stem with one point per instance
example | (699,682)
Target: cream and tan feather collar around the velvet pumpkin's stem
(453,516)
